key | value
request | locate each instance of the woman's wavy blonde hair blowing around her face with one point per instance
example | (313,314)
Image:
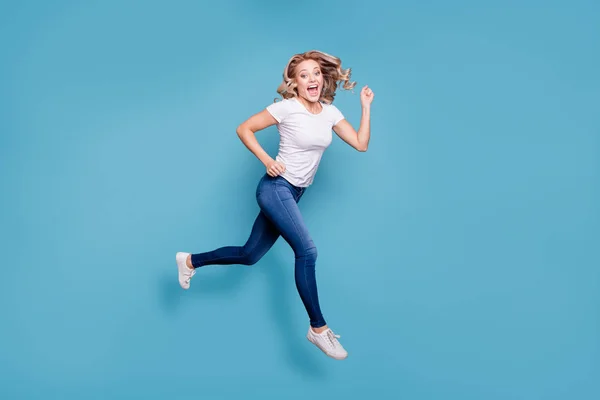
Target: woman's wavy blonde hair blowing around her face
(334,76)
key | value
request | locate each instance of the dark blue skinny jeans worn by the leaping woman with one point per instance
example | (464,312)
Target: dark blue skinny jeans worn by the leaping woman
(279,216)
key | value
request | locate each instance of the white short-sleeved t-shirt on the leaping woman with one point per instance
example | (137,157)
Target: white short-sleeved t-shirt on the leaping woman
(303,138)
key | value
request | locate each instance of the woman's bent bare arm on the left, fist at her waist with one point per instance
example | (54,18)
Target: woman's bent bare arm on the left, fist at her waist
(246,132)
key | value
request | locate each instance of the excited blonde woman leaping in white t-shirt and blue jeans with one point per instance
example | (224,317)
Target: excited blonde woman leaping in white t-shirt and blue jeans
(305,118)
